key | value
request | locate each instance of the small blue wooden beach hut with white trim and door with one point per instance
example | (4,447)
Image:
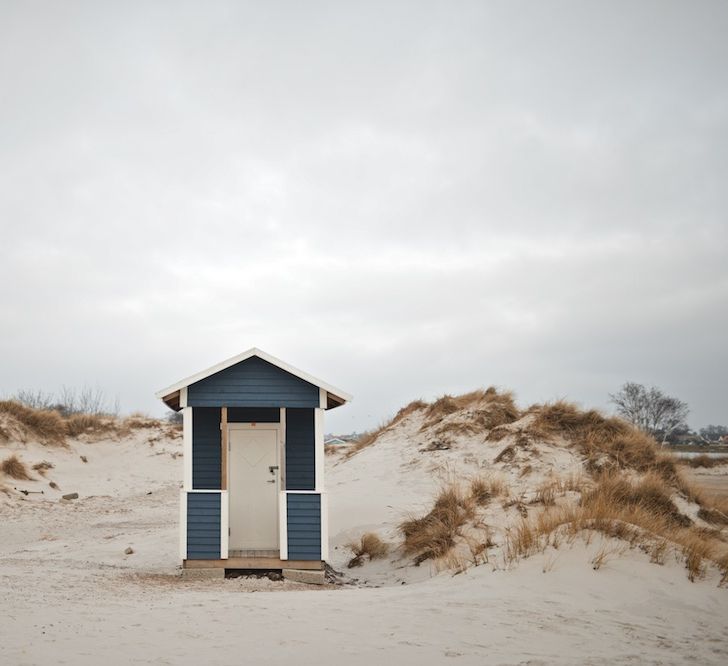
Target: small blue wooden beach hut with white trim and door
(253,494)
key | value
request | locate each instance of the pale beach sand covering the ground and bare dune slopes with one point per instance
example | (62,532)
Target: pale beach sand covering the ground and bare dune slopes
(70,595)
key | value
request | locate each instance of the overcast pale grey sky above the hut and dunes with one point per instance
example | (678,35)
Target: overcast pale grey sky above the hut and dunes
(403,198)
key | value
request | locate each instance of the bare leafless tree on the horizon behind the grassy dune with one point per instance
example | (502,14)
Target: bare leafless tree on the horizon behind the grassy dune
(650,409)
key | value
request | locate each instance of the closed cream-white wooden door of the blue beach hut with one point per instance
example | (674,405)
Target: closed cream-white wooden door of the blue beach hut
(253,489)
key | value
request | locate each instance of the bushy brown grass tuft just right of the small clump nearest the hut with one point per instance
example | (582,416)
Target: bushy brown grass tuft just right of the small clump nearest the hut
(433,535)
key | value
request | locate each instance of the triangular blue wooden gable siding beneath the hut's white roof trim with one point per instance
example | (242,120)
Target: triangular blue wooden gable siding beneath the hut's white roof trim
(252,383)
